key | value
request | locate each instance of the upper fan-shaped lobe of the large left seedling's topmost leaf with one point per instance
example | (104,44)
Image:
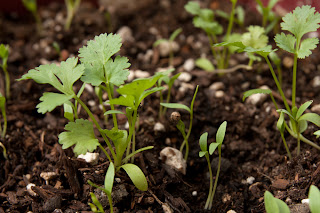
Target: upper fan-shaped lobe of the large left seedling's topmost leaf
(100,49)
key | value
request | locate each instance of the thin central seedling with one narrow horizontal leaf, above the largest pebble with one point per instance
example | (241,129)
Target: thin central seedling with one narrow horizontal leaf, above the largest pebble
(180,125)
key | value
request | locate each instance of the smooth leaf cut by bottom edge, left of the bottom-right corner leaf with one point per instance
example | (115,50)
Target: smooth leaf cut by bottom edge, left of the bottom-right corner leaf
(274,205)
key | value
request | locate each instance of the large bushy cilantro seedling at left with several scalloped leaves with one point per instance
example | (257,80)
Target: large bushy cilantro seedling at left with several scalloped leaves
(99,69)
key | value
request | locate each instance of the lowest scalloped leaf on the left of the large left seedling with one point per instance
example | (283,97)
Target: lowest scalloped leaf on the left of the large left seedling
(79,133)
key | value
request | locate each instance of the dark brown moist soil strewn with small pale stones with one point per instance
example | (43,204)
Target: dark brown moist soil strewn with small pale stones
(254,158)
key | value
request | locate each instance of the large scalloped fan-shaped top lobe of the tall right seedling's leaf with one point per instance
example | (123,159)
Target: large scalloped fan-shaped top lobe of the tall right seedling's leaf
(301,21)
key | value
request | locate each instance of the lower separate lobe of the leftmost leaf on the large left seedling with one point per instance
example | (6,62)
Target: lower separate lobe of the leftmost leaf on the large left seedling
(50,100)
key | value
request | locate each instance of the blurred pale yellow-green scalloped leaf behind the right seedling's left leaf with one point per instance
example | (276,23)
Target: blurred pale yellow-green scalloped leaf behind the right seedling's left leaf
(255,38)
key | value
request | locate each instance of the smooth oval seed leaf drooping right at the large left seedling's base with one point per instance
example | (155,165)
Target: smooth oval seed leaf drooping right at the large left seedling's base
(136,175)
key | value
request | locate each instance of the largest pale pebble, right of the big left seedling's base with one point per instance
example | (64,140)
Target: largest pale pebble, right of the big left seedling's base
(174,159)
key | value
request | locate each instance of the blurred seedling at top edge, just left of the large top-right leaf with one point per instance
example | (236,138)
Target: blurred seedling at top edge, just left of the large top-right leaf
(267,14)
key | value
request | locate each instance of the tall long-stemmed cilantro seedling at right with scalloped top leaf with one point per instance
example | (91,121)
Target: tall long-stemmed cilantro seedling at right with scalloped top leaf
(301,21)
